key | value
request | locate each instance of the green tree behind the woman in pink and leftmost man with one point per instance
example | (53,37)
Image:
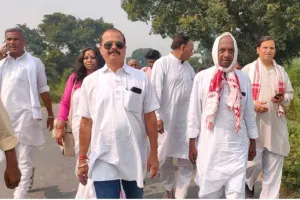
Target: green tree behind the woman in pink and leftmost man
(59,39)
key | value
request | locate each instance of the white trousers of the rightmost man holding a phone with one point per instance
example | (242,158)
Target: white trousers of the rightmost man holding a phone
(272,165)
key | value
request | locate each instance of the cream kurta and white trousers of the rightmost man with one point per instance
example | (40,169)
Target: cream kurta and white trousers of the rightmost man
(273,142)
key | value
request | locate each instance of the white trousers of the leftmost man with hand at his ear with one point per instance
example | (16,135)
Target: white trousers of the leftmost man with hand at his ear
(25,154)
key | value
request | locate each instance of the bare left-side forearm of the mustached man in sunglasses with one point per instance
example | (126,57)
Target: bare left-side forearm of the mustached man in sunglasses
(85,133)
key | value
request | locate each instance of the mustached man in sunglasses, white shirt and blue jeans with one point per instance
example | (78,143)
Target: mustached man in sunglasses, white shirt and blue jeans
(117,106)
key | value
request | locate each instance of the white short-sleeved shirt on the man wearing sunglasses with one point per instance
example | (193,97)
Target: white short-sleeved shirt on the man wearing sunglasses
(119,139)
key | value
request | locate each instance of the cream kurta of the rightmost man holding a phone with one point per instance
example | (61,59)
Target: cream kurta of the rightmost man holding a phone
(273,132)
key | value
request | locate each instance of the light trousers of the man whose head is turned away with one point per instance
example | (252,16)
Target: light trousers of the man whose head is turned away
(168,177)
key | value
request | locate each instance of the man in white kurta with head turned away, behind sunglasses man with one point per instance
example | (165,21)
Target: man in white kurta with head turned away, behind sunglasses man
(172,79)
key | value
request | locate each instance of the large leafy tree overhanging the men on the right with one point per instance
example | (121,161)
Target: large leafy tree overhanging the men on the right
(203,20)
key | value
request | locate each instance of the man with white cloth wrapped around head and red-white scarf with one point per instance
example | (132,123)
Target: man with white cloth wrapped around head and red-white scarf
(223,135)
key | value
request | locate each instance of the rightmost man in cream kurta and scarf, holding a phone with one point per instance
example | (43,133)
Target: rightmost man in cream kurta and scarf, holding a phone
(273,142)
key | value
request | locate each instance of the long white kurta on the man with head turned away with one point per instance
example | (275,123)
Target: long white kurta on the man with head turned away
(173,81)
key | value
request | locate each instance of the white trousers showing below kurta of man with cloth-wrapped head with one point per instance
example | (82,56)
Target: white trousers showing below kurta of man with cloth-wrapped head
(230,194)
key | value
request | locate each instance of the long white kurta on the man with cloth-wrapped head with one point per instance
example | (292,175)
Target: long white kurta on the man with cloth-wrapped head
(222,153)
